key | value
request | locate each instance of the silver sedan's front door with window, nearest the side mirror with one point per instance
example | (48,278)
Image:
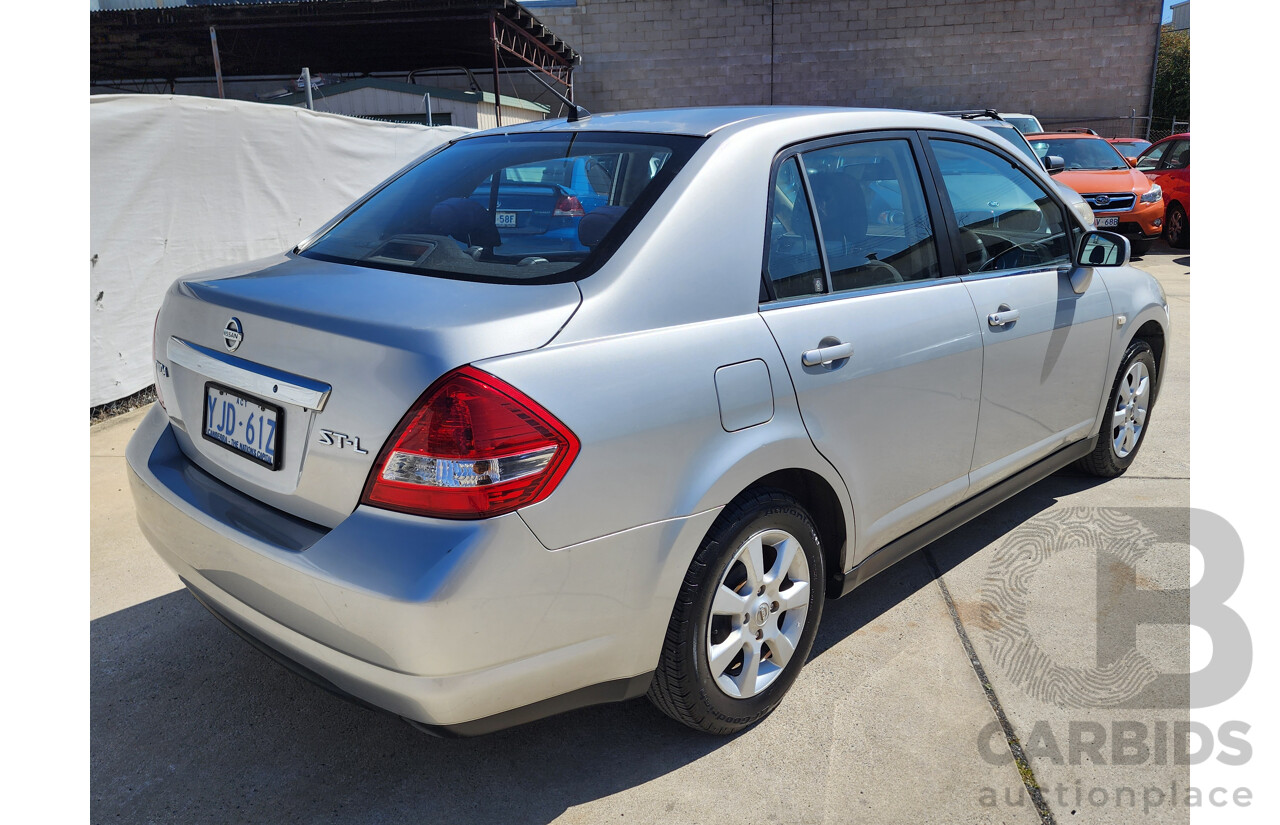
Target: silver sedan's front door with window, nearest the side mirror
(1045,347)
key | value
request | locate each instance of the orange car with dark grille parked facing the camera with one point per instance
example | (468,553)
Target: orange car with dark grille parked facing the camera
(1122,198)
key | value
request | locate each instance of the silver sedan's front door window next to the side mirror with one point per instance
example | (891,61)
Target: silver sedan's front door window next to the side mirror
(1007,221)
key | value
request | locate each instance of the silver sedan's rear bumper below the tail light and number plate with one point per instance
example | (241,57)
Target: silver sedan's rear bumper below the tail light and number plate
(446,624)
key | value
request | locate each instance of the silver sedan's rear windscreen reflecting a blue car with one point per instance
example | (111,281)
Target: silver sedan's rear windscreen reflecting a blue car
(532,208)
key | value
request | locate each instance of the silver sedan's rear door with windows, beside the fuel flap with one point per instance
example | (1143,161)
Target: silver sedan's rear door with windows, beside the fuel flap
(885,352)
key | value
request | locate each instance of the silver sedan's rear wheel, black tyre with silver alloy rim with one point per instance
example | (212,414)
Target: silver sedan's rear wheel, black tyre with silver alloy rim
(746,618)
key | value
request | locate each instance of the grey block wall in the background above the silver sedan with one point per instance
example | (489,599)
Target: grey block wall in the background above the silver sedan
(1059,59)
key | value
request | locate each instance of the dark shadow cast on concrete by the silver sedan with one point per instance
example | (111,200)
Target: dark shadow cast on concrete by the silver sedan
(191,725)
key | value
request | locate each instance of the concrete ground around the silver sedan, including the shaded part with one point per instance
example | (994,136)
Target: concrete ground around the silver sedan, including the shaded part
(889,723)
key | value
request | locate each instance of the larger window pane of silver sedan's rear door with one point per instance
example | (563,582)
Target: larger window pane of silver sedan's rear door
(872,214)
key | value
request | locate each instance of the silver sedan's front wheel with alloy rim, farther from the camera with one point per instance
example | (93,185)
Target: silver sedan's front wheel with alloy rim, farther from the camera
(1128,415)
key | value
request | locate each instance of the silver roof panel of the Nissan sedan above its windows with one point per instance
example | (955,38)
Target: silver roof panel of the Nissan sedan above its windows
(705,122)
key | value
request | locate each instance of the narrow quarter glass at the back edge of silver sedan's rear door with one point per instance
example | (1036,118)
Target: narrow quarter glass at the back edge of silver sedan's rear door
(793,265)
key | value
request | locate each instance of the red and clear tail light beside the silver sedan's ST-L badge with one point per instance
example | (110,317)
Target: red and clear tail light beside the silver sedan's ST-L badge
(473,447)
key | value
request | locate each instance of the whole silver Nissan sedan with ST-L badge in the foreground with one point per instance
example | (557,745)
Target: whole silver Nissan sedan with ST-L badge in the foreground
(476,487)
